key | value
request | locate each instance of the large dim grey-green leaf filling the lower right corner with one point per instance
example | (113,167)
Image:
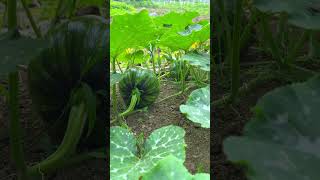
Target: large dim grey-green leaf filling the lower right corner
(282,141)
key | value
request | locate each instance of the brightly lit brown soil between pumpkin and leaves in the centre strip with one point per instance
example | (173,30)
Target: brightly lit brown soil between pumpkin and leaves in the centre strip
(167,113)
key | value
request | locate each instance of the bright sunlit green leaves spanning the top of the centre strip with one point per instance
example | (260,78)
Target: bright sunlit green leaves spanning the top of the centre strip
(139,30)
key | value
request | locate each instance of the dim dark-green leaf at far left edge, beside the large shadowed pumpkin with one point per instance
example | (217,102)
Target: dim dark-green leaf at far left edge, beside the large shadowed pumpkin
(18,52)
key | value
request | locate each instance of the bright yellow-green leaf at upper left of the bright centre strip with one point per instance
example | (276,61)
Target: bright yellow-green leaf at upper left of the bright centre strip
(131,31)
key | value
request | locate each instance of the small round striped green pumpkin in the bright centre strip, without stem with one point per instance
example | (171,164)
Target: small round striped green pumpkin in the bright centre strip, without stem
(145,81)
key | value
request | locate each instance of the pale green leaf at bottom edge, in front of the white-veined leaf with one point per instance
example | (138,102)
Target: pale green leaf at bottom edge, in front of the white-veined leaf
(171,168)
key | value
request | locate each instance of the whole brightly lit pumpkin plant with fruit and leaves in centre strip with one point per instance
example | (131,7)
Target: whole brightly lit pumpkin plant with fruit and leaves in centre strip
(150,48)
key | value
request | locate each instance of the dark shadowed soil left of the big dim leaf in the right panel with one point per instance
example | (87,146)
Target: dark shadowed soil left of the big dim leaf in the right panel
(230,121)
